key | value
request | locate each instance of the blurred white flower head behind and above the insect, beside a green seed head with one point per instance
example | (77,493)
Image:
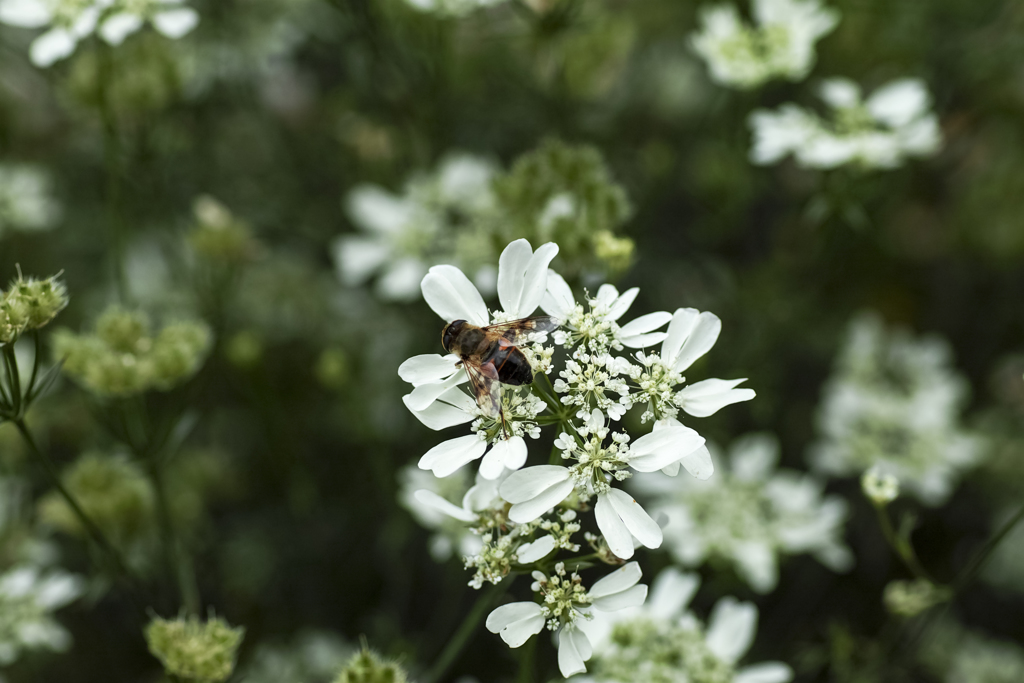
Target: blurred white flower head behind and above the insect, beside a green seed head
(435,221)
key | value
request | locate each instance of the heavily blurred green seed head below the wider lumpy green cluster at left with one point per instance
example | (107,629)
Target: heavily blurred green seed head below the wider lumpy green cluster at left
(112,491)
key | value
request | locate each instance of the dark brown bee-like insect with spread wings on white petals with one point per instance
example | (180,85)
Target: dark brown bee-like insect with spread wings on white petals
(491,358)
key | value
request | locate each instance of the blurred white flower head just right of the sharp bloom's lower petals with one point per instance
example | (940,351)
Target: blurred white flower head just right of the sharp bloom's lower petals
(750,516)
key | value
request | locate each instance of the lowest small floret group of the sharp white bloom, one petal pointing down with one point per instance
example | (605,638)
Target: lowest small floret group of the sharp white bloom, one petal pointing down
(566,607)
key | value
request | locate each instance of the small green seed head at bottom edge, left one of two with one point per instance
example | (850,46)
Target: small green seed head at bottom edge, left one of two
(195,651)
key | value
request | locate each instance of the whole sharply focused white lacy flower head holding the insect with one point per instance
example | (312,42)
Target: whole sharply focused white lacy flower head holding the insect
(527,516)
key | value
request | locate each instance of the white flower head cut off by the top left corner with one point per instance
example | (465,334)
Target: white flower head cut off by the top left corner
(72,21)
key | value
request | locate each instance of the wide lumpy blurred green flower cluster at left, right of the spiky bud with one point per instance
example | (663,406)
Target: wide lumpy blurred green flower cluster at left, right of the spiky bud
(121,358)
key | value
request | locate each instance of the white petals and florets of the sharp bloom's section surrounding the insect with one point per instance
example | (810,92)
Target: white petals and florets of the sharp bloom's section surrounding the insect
(439,403)
